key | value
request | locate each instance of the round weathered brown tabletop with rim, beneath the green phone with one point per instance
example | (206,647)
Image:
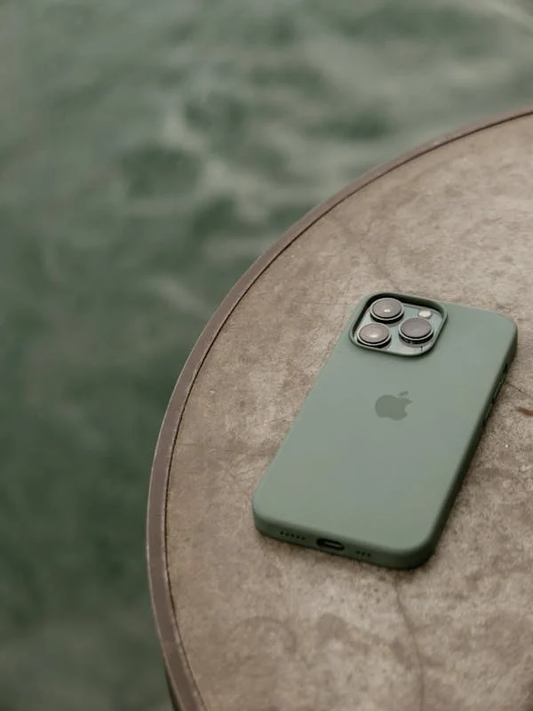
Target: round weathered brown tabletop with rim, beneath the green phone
(250,624)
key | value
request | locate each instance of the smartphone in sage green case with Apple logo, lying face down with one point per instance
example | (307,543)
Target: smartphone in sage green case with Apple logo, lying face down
(373,462)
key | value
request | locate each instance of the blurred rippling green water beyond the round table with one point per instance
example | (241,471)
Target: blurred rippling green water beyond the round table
(149,151)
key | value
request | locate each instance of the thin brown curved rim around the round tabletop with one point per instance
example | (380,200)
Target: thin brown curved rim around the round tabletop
(182,685)
